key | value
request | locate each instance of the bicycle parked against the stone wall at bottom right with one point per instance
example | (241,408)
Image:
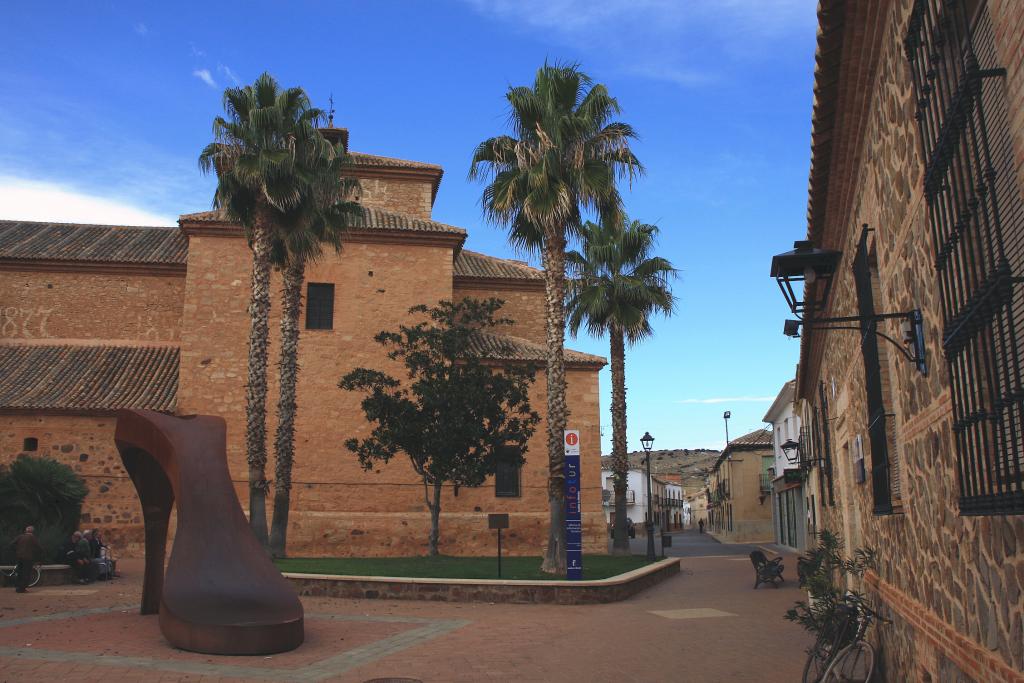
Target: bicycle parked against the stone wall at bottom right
(841,655)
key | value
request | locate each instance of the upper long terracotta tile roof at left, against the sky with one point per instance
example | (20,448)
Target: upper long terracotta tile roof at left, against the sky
(75,242)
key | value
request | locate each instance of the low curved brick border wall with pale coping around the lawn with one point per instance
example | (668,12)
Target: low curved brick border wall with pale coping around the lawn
(486,590)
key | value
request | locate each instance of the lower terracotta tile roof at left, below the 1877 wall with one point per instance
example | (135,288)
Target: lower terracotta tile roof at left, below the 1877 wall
(89,378)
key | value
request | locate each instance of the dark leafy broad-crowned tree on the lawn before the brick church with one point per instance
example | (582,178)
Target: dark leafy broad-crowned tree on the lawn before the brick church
(457,417)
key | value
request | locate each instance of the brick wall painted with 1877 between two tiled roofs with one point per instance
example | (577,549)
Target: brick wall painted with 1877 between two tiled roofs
(91,307)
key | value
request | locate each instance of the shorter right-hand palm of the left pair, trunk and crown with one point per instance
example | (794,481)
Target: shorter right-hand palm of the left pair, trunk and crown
(301,240)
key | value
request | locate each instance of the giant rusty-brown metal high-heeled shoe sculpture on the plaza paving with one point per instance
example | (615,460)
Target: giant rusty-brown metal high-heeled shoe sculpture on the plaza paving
(222,593)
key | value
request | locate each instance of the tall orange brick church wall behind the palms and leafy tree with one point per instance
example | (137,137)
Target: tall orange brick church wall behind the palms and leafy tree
(338,508)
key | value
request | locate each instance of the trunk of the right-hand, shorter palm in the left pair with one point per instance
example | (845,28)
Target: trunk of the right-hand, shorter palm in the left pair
(284,443)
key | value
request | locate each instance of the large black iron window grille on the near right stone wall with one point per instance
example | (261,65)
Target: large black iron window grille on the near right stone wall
(976,216)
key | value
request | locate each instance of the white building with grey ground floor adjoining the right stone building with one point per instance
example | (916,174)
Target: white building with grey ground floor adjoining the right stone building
(790,506)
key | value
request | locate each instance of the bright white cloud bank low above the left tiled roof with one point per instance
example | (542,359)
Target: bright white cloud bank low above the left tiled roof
(35,200)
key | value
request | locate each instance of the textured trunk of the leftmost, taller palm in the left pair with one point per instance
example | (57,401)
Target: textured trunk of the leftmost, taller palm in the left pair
(260,313)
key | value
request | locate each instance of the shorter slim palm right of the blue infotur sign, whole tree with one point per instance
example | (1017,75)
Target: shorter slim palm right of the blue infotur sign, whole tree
(617,286)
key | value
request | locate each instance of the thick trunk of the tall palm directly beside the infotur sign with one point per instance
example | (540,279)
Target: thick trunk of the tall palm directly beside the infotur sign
(554,287)
